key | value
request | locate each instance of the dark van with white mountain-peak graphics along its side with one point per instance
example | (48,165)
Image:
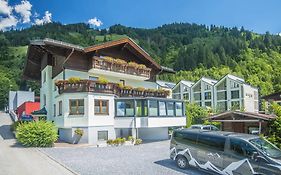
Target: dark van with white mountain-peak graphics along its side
(226,153)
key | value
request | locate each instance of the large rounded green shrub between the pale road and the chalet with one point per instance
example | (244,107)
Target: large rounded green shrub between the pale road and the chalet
(37,134)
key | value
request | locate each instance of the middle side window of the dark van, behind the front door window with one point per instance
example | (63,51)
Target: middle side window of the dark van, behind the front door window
(213,142)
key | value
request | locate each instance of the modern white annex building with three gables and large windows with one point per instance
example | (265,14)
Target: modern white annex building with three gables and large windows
(229,93)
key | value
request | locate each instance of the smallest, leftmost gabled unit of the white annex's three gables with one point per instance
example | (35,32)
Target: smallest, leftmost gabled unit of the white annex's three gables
(182,90)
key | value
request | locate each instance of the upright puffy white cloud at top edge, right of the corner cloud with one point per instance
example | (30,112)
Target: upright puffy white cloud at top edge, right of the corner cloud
(24,9)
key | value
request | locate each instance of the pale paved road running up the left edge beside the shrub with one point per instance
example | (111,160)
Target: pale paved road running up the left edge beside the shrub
(17,160)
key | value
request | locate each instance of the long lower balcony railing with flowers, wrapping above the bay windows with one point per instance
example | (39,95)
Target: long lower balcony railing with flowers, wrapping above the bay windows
(108,88)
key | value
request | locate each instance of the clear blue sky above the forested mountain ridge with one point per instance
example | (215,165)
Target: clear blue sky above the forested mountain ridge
(256,15)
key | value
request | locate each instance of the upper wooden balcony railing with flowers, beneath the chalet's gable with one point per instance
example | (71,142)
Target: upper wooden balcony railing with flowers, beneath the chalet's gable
(121,66)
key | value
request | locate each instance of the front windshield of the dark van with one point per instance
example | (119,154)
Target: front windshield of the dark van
(266,147)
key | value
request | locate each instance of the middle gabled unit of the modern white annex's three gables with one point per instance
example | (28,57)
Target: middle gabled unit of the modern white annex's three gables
(203,92)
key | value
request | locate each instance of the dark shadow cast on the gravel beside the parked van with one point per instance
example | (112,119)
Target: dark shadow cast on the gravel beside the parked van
(168,163)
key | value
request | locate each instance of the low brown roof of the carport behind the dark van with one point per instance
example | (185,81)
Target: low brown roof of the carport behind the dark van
(226,114)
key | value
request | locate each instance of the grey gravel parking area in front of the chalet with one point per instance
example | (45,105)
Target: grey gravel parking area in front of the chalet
(148,158)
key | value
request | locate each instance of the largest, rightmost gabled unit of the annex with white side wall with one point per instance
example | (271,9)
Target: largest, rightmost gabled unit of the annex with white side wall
(232,93)
